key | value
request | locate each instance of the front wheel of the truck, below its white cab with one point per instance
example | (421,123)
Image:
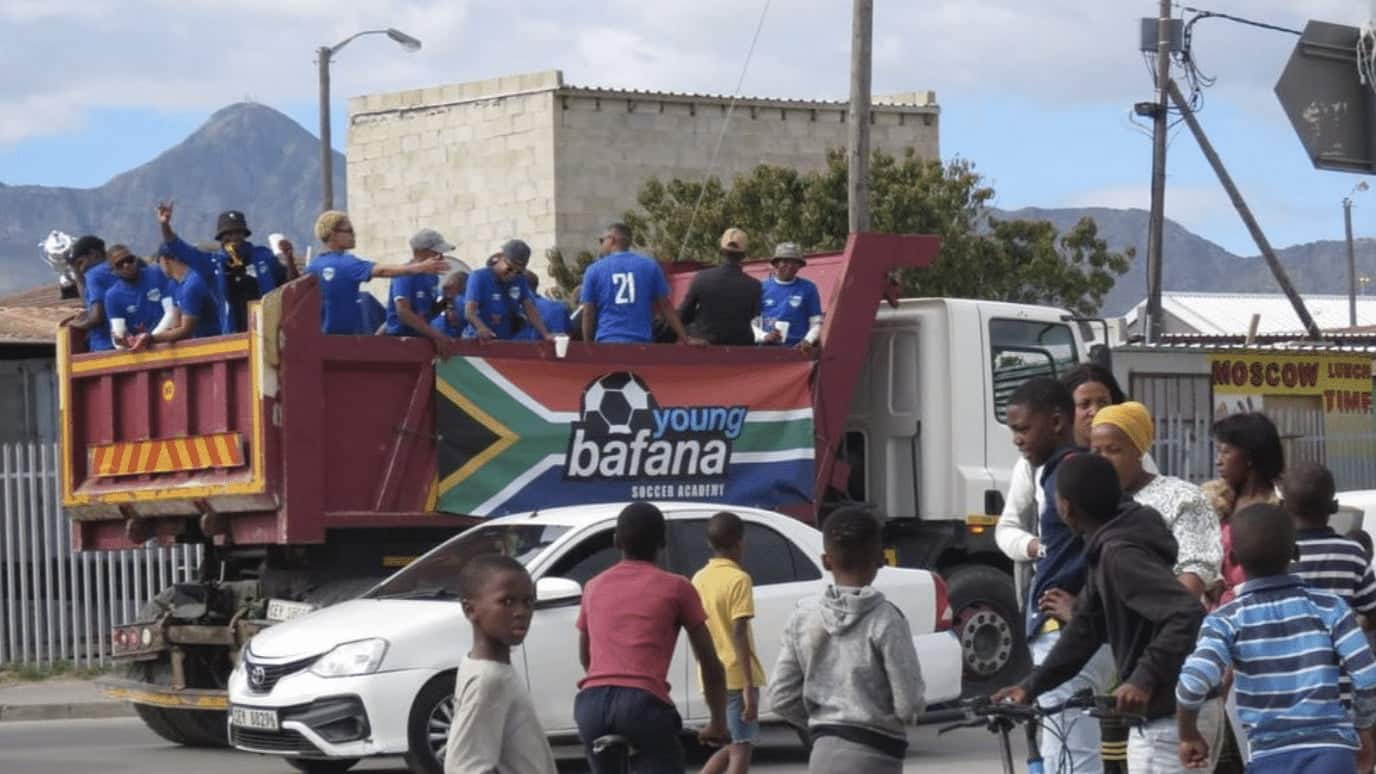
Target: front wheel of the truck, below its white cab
(987,620)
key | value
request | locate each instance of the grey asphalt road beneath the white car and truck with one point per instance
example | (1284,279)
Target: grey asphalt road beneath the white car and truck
(125,746)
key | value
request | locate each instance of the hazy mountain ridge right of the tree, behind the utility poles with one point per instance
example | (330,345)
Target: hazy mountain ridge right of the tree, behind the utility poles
(1195,264)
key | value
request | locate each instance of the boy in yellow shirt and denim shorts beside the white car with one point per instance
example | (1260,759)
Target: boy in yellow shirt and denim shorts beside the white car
(730,600)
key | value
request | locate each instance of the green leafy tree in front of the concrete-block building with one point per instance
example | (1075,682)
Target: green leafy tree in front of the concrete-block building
(982,258)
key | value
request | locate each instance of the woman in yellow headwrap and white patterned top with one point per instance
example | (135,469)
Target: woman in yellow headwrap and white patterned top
(1124,435)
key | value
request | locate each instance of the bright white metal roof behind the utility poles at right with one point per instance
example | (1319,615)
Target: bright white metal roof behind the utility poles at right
(1232,313)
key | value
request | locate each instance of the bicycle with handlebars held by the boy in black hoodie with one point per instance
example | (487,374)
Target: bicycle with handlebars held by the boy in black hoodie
(1001,718)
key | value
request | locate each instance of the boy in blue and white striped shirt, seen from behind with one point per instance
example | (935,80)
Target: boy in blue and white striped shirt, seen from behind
(1287,647)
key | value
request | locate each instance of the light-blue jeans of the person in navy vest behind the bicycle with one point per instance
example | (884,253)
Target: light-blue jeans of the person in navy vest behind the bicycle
(1079,729)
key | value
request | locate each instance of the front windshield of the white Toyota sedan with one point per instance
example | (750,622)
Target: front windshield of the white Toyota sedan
(436,576)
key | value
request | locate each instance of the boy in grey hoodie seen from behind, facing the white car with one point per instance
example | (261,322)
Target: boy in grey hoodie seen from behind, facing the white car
(847,669)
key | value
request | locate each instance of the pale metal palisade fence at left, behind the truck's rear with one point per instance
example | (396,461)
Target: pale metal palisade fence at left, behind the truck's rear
(56,604)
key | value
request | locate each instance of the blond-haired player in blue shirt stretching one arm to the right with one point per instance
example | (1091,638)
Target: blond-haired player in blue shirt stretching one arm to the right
(341,275)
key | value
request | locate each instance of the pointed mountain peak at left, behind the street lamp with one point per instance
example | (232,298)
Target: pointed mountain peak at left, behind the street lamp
(247,156)
